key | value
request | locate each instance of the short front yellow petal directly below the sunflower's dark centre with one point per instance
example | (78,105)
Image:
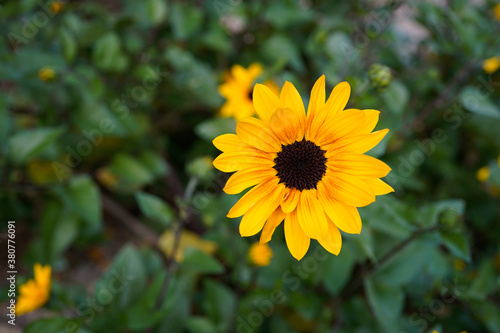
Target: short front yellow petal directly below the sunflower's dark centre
(311,216)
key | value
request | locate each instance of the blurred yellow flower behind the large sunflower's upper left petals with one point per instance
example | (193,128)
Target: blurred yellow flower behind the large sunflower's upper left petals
(237,89)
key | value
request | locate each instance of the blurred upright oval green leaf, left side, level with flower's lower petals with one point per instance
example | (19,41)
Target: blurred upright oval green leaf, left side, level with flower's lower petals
(86,200)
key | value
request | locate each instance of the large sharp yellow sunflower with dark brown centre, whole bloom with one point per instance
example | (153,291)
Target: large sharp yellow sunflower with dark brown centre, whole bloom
(309,171)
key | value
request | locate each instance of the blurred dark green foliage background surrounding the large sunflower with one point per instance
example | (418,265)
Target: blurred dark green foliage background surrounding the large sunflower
(107,112)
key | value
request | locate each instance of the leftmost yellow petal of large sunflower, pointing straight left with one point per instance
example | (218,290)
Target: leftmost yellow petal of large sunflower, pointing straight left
(248,158)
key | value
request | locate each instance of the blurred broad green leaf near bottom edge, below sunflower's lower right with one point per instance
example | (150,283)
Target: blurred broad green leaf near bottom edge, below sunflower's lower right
(386,301)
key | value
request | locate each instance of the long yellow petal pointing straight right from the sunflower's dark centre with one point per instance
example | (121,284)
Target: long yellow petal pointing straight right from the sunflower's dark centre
(358,165)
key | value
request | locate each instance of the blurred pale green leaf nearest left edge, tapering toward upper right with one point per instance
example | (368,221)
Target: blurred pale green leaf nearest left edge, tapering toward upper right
(28,143)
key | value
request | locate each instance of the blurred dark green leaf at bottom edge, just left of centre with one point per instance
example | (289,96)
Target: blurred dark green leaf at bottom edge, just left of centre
(220,304)
